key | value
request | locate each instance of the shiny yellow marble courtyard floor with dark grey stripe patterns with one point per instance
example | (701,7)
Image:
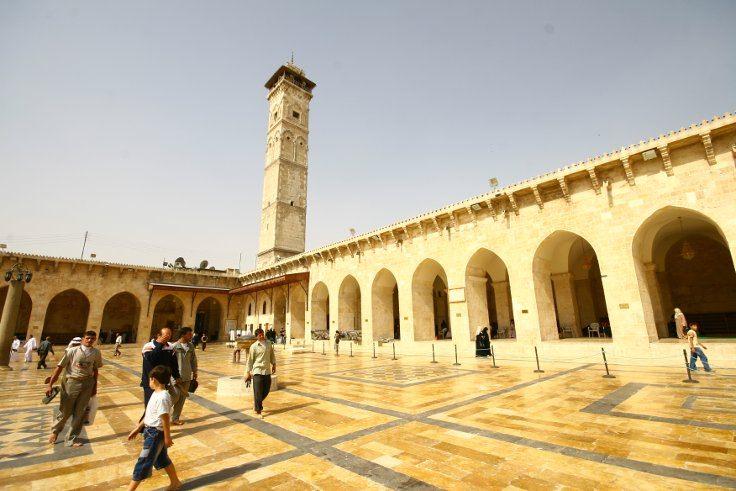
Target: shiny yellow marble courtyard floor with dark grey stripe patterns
(363,423)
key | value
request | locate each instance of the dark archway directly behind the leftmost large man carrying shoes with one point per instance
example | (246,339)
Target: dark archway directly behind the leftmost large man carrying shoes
(66,316)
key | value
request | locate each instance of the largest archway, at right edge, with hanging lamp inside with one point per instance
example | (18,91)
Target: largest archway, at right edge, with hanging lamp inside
(683,260)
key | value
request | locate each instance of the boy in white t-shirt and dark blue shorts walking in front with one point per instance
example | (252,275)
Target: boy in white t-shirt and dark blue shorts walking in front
(156,427)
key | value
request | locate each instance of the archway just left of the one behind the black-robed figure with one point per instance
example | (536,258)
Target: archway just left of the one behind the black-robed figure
(430,303)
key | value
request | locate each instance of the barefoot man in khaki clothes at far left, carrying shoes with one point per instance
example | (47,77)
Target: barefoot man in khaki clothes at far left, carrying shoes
(80,364)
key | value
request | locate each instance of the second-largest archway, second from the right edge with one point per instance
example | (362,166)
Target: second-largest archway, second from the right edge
(569,291)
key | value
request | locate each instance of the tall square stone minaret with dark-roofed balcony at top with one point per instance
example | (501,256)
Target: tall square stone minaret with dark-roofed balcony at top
(284,206)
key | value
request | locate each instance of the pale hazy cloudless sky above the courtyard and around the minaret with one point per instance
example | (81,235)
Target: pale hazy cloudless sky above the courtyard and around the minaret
(145,122)
